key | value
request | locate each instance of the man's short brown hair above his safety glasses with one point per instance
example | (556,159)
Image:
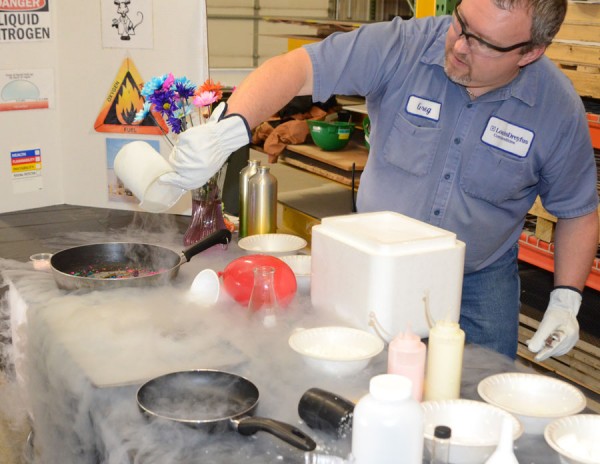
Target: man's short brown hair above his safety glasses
(547,17)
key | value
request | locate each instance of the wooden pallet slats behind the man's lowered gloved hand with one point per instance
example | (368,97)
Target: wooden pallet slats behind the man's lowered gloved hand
(580,366)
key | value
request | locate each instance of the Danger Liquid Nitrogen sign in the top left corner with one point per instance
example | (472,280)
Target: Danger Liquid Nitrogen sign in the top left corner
(25,21)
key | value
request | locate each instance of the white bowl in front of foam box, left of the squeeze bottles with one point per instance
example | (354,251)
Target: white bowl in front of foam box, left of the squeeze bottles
(336,350)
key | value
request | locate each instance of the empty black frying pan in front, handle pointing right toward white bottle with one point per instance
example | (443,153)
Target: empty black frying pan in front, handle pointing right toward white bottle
(214,401)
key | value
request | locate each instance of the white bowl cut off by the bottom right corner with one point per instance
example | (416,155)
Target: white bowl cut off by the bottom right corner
(576,438)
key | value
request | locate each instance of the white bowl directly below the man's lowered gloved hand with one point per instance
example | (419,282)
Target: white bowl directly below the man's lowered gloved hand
(534,399)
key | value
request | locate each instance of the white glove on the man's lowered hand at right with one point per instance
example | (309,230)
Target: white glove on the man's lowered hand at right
(559,330)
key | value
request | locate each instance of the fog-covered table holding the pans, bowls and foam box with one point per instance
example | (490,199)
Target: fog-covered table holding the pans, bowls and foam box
(82,357)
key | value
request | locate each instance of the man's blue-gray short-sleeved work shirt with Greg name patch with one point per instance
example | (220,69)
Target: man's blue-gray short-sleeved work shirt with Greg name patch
(471,167)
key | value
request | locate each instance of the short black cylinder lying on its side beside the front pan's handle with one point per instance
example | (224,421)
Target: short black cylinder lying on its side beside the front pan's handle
(326,411)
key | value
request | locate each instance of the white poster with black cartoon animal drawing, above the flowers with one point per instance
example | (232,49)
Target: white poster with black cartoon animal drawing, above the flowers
(127,24)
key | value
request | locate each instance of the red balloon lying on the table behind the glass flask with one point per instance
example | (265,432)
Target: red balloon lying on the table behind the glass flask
(238,278)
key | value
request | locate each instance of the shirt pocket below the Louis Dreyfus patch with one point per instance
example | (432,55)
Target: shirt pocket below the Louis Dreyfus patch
(495,177)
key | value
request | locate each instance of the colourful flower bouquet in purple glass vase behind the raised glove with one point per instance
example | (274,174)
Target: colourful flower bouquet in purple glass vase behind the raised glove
(182,105)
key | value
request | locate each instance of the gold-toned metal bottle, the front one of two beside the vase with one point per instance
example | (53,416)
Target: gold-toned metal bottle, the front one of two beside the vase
(262,202)
